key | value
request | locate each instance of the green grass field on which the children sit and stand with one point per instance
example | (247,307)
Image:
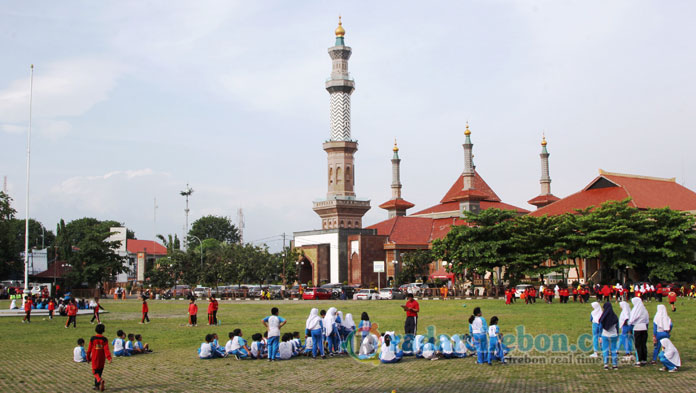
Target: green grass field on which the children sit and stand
(38,357)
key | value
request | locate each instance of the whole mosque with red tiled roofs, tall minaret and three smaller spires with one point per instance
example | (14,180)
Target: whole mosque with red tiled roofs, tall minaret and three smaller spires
(343,251)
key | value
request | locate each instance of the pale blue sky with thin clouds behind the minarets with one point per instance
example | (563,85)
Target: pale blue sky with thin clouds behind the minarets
(132,100)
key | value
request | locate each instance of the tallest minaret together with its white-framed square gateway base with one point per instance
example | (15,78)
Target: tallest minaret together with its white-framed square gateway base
(325,252)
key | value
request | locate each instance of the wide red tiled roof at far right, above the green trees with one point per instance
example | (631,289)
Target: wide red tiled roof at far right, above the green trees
(646,192)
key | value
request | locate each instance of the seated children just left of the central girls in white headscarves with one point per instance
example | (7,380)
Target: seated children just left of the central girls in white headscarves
(239,348)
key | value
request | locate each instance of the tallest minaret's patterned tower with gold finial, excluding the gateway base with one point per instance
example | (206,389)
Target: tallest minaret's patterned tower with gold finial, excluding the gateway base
(340,209)
